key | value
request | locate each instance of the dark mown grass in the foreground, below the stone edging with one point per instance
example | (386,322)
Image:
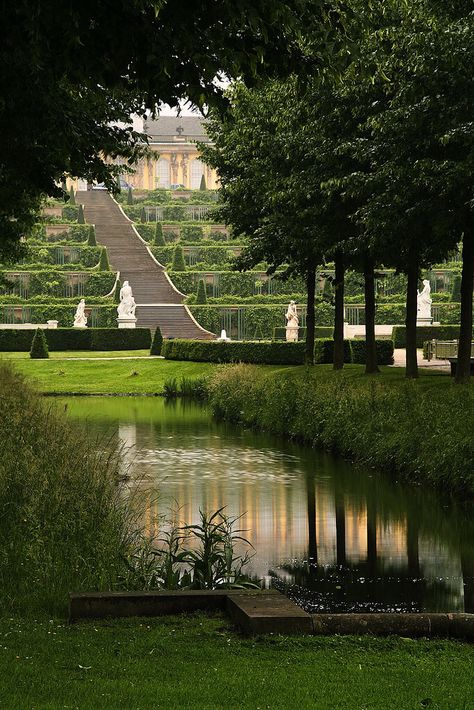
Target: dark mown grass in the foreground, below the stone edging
(199,662)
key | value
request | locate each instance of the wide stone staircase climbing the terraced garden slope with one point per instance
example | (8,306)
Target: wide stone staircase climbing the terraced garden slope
(158,301)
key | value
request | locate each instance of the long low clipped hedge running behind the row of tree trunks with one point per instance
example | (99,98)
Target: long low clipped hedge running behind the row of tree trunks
(270,353)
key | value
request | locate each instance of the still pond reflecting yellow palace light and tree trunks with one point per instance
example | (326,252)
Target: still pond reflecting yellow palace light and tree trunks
(334,536)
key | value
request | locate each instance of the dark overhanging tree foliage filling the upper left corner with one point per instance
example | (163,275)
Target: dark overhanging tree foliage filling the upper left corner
(71,71)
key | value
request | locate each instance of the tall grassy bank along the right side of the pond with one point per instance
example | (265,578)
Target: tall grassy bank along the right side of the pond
(420,430)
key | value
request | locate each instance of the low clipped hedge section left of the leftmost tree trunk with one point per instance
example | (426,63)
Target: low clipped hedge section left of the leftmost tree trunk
(259,353)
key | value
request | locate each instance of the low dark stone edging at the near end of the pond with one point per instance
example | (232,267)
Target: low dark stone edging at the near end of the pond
(268,611)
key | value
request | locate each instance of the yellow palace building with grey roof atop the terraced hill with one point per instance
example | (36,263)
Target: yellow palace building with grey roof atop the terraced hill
(176,159)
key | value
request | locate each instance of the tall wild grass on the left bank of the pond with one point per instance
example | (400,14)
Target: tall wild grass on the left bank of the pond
(63,524)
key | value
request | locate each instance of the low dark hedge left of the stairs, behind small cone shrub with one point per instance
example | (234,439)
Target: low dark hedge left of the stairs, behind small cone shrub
(78,339)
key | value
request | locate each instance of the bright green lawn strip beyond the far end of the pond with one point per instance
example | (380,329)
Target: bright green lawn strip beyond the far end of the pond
(99,376)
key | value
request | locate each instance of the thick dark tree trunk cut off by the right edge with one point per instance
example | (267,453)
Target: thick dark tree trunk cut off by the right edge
(463,367)
